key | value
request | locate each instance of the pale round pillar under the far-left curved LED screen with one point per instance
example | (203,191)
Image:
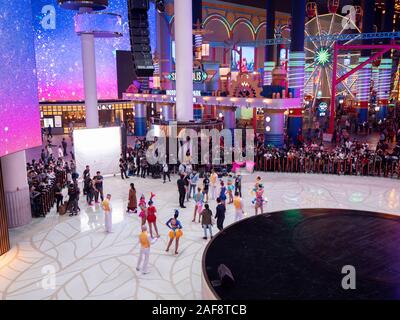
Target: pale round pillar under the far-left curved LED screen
(16,189)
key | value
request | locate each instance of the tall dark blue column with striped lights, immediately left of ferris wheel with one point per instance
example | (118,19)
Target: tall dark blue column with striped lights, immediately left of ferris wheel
(296,66)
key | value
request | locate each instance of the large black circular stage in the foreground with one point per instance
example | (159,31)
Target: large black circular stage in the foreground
(300,254)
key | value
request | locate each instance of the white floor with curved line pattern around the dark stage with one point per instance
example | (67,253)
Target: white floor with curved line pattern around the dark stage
(92,265)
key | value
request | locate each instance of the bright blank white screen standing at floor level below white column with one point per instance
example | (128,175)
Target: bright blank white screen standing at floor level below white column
(98,148)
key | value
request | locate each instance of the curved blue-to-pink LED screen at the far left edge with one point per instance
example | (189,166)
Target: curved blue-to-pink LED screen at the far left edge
(19,107)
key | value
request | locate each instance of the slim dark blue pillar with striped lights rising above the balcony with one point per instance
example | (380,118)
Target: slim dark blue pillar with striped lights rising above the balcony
(269,63)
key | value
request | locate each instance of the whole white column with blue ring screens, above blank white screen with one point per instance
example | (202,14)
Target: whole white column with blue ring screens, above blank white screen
(89,25)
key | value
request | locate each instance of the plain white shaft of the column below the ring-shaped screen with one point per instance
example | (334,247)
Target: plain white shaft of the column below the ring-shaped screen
(89,77)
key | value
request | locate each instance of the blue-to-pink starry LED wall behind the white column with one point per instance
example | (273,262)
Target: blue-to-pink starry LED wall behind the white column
(58,52)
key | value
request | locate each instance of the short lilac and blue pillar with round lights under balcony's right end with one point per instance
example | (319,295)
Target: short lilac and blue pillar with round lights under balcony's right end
(274,123)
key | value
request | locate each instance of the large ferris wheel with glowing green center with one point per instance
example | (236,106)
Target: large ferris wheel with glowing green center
(319,57)
